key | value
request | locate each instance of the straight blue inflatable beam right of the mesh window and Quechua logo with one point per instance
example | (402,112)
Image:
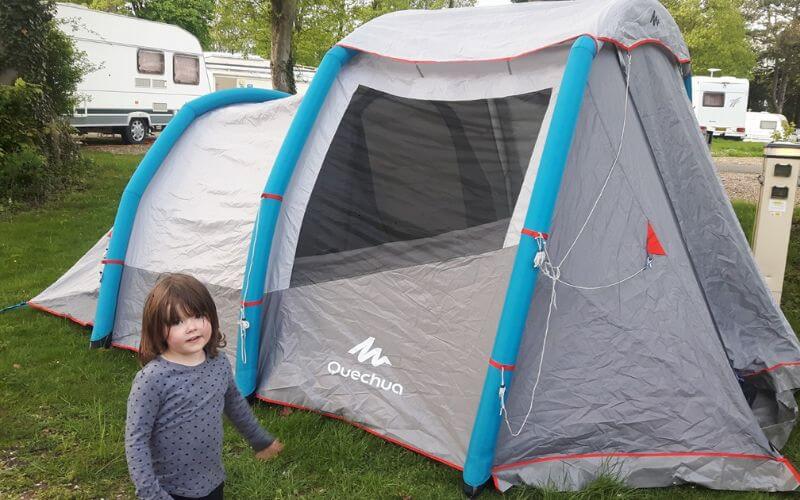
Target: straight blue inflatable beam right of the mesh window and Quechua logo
(480,455)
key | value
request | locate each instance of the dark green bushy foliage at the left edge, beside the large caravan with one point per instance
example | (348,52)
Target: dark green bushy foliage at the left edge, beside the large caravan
(40,71)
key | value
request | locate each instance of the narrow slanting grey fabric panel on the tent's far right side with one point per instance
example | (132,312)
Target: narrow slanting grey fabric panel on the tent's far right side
(759,342)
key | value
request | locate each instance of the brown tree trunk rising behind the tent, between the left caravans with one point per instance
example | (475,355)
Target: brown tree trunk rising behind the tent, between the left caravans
(281,60)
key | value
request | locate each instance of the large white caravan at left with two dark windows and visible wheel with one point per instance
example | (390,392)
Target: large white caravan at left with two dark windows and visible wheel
(142,71)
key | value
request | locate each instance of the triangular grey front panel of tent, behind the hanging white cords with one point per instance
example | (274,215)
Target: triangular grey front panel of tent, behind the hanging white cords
(634,376)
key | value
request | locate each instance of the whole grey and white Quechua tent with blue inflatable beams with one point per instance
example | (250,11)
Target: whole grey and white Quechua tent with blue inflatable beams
(492,236)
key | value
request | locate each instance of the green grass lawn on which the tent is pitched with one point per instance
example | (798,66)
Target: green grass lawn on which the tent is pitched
(62,406)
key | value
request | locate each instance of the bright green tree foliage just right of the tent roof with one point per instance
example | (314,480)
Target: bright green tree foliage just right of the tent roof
(716,33)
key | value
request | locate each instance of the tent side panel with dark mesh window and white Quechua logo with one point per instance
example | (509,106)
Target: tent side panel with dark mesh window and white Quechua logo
(401,253)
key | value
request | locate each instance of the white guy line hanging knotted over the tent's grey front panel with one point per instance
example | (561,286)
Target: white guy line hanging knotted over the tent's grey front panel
(544,263)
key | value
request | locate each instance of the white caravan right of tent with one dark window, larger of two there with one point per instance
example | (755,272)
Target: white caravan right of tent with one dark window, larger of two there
(720,104)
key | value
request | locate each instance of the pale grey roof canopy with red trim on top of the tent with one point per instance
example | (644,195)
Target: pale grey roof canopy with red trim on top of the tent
(499,32)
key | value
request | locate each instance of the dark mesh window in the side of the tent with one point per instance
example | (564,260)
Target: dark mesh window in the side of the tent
(408,182)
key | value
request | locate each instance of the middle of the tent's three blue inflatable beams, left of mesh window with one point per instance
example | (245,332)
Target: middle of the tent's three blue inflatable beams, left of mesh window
(247,348)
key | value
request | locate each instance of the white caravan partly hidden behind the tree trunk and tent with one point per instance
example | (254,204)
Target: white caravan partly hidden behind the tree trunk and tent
(226,71)
